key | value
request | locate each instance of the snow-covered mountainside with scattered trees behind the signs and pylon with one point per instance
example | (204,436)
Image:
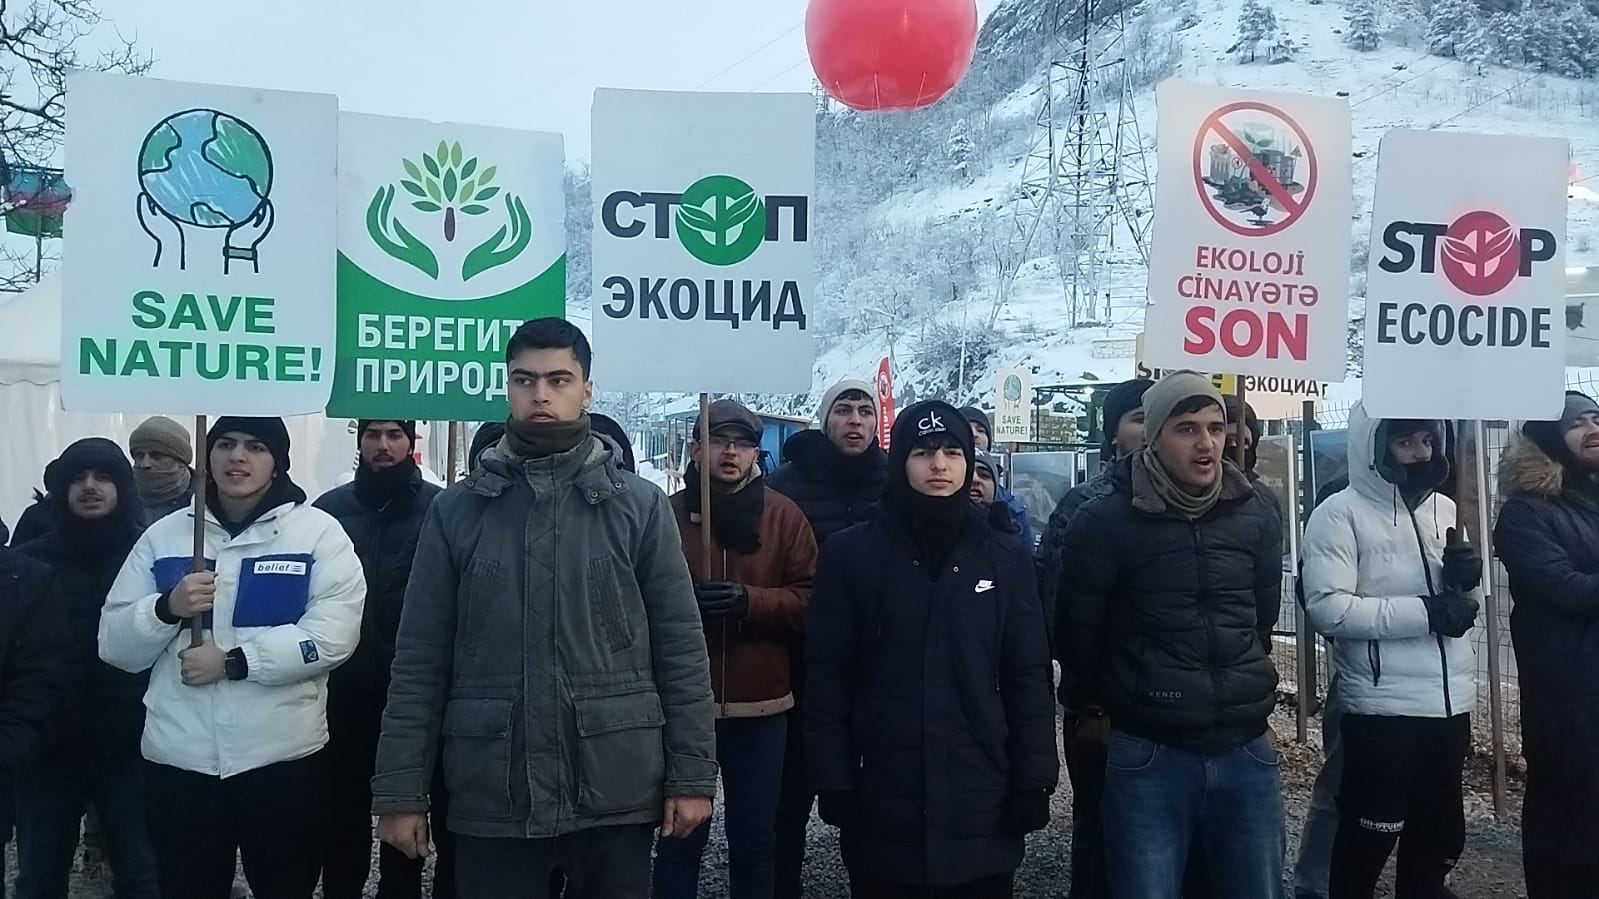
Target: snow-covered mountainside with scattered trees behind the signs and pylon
(917,210)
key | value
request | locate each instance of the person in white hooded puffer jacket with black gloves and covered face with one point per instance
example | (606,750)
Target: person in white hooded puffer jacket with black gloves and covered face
(1395,597)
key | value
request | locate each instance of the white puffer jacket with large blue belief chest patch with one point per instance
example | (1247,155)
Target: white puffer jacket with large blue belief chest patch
(290,594)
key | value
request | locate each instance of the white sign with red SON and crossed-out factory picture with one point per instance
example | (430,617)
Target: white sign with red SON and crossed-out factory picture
(1250,266)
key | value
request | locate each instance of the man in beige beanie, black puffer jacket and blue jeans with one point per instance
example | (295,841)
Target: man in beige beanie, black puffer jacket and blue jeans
(1168,593)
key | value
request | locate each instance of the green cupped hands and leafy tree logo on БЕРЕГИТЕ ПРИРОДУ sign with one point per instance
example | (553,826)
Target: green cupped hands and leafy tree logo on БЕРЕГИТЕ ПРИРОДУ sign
(452,188)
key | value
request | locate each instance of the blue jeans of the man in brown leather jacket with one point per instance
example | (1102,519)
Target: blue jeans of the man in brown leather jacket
(751,753)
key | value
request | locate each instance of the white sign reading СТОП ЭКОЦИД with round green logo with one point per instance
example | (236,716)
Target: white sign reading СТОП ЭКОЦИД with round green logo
(703,265)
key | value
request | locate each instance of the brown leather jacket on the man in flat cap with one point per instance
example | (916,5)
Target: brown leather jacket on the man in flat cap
(749,658)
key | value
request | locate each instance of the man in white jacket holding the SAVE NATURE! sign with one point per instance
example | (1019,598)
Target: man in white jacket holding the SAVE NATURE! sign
(236,727)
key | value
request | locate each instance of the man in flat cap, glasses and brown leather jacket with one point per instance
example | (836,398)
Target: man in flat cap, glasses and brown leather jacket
(752,601)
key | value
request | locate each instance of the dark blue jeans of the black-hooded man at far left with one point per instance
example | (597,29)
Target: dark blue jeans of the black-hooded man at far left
(50,802)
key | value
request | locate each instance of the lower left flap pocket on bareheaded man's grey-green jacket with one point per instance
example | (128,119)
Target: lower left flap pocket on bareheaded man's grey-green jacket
(477,757)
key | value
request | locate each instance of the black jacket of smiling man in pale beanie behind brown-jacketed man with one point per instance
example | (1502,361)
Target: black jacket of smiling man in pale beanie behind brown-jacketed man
(832,490)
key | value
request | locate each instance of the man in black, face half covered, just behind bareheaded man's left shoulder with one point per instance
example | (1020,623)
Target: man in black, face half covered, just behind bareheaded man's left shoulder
(383,513)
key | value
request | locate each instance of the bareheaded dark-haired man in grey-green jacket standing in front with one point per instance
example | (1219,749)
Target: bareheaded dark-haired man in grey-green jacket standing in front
(552,644)
